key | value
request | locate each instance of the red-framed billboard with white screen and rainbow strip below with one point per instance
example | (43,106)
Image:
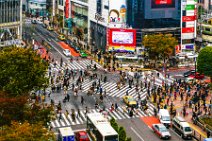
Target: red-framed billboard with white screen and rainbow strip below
(121,40)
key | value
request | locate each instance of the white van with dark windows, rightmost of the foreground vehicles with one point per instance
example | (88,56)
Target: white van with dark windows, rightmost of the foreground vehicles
(182,127)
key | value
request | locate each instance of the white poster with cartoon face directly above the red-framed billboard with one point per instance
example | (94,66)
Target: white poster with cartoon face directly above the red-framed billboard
(117,11)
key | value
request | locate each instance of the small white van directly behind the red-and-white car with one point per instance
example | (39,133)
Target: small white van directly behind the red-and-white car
(164,117)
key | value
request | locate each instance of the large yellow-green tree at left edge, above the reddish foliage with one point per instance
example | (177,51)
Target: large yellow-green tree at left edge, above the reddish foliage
(21,70)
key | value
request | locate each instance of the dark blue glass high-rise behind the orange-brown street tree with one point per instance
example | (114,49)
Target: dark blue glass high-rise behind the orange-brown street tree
(154,16)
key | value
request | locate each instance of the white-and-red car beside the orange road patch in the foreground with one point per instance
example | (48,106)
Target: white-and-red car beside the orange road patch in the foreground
(161,131)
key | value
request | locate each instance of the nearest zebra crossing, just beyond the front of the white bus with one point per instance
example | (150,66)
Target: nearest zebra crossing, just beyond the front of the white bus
(119,114)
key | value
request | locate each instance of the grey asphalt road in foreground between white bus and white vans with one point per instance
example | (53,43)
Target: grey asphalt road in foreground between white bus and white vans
(139,131)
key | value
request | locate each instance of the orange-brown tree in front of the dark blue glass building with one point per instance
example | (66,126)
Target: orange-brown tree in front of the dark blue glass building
(160,46)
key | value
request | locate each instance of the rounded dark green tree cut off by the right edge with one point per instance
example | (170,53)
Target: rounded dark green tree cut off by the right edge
(204,62)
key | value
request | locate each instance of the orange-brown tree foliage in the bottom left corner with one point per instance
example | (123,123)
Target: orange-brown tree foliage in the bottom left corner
(25,131)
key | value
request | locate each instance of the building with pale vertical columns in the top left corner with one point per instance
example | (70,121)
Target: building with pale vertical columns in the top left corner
(10,22)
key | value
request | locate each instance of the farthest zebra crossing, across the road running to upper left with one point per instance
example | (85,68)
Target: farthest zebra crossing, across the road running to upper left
(75,65)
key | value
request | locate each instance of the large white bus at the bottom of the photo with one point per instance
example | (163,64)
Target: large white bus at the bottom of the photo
(100,129)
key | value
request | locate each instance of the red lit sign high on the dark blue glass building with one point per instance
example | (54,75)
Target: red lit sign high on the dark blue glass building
(163,3)
